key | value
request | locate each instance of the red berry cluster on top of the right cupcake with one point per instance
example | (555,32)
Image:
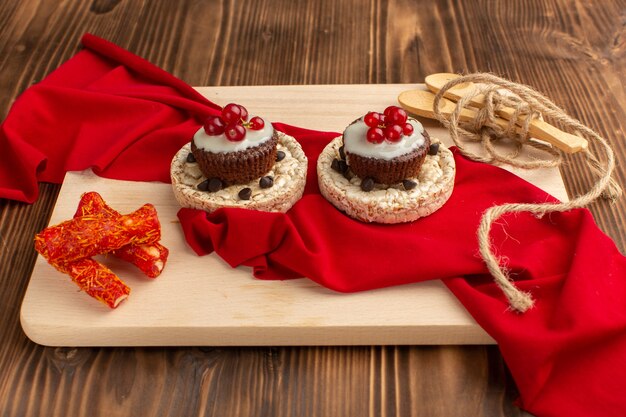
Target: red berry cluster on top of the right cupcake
(390,125)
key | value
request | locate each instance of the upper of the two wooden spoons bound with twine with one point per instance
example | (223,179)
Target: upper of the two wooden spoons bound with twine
(539,129)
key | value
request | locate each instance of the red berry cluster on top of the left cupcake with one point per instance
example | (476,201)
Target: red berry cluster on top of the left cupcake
(232,123)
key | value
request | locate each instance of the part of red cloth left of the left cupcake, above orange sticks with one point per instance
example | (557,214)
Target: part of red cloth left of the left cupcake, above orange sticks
(105,108)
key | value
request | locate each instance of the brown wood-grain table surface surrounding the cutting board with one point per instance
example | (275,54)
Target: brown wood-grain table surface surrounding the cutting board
(574,51)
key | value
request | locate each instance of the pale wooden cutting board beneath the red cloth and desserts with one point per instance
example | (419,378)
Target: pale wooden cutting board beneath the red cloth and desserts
(202,301)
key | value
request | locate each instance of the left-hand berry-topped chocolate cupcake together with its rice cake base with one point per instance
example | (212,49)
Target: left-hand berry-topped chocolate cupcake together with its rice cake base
(234,161)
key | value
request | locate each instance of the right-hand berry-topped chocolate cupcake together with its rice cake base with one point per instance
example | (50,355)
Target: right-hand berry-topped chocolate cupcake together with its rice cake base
(385,168)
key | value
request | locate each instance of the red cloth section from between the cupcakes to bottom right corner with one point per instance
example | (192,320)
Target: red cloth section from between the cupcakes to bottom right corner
(567,354)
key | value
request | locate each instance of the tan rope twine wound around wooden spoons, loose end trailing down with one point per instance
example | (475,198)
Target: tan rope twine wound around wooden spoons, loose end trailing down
(483,129)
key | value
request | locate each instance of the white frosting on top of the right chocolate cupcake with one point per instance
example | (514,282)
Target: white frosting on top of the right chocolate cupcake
(355,141)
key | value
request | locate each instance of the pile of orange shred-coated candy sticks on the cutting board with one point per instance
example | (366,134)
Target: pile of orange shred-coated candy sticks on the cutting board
(97,229)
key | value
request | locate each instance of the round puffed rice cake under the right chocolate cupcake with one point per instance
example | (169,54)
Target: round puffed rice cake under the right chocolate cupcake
(388,204)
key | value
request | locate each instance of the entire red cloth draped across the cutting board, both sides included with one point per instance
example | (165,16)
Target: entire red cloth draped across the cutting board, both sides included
(113,111)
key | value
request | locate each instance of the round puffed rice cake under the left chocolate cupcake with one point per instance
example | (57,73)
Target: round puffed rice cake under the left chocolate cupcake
(288,174)
